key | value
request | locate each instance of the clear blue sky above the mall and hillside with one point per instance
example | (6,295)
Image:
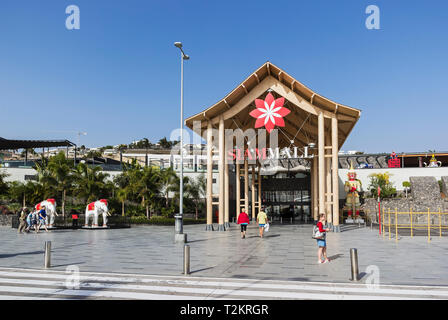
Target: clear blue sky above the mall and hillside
(117,78)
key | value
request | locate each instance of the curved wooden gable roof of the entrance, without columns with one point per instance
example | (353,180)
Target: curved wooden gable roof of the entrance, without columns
(304,103)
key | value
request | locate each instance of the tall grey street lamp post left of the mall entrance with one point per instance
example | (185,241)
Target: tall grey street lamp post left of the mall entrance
(179,236)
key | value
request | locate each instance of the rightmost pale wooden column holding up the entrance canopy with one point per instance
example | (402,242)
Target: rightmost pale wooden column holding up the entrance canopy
(334,171)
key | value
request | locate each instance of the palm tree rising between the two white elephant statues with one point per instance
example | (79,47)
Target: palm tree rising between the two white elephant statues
(61,170)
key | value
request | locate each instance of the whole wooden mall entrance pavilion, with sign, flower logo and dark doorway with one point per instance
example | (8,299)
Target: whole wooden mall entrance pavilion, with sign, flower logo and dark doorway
(270,111)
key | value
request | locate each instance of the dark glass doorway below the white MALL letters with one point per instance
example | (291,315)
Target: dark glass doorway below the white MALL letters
(287,197)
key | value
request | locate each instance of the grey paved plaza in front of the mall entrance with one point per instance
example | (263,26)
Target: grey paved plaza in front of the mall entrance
(286,253)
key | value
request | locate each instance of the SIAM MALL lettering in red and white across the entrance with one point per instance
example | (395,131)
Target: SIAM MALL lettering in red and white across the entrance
(268,154)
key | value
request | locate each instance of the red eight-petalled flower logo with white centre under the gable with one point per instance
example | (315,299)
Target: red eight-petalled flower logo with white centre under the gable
(270,112)
